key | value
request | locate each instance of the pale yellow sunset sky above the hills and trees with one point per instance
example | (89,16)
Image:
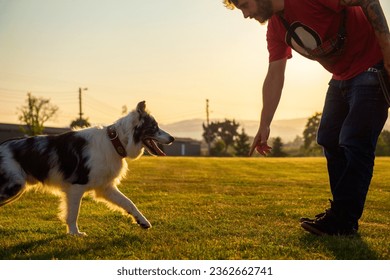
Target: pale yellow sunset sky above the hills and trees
(174,54)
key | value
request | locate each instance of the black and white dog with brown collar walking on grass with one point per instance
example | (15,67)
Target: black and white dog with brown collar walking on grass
(85,160)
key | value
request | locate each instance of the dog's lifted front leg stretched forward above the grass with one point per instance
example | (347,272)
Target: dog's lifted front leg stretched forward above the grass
(114,196)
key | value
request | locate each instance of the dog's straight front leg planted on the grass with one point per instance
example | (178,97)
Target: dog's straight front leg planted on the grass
(71,207)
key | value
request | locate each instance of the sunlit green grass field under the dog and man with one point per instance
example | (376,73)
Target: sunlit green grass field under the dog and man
(204,209)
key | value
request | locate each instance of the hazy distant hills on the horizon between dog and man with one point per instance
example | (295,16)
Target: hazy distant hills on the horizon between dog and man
(286,129)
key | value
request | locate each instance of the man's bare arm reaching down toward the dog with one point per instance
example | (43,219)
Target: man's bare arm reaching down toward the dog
(272,91)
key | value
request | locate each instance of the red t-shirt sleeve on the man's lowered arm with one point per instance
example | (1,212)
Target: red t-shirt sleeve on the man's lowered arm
(277,47)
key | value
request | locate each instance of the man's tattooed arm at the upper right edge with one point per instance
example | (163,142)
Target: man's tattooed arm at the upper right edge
(376,17)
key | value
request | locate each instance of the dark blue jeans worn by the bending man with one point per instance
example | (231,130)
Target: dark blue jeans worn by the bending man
(354,114)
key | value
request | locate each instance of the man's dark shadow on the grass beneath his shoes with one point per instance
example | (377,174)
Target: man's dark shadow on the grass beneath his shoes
(340,247)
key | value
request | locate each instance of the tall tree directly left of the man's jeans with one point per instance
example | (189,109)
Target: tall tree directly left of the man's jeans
(310,135)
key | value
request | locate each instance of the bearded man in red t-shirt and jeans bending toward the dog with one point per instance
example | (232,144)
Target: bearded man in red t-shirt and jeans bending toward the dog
(351,39)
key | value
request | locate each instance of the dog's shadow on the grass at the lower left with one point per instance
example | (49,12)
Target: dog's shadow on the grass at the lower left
(64,247)
